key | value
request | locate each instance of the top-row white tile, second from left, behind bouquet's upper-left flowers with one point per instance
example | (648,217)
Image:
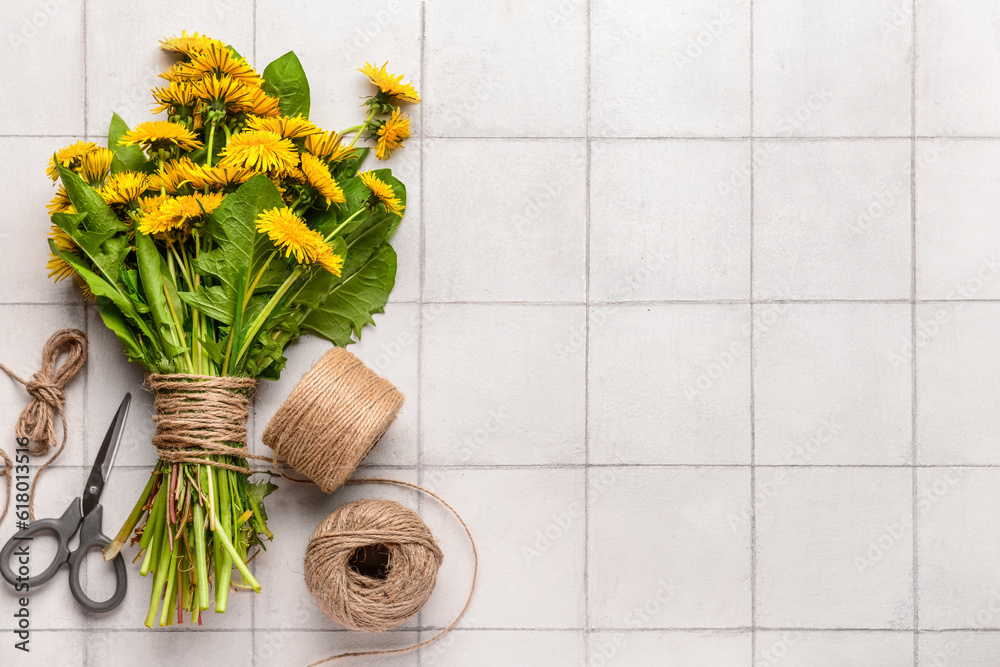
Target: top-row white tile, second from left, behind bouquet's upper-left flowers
(120,72)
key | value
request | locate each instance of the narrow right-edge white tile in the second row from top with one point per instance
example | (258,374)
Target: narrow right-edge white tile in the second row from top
(958,242)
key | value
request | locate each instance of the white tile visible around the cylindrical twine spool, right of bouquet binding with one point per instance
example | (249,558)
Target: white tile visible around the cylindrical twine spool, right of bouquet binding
(390,349)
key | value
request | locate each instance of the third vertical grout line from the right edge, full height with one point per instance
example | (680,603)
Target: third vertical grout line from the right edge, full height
(586,352)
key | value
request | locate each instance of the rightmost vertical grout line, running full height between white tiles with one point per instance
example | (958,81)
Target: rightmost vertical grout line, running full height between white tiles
(913,328)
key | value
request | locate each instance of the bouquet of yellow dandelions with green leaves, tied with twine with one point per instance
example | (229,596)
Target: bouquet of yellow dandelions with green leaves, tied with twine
(210,241)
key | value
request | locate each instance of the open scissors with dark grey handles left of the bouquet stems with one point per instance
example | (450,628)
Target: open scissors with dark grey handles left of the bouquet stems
(83,514)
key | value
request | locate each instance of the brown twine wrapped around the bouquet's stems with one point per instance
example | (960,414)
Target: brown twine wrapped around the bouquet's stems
(199,415)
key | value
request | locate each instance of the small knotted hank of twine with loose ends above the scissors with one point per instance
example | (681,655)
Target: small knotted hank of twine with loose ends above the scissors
(46,390)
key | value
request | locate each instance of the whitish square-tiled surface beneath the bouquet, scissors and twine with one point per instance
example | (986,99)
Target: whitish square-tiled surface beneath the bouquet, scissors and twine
(696,315)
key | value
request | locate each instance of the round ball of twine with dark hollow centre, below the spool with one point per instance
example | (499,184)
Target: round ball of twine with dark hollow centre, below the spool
(360,601)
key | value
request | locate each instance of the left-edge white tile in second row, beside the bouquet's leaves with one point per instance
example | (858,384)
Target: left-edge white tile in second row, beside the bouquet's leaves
(25,223)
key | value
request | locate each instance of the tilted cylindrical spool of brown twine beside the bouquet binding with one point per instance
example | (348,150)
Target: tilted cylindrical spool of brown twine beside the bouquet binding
(332,419)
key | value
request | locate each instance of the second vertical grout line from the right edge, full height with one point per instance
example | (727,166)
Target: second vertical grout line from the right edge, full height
(753,411)
